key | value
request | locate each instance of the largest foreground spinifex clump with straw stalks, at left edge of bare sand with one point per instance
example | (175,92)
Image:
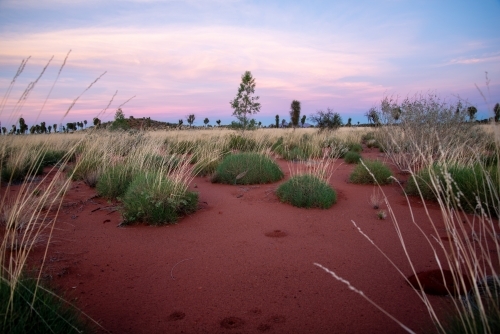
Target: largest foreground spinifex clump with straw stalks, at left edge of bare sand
(156,199)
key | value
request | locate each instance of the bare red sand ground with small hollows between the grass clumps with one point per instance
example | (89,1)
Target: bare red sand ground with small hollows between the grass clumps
(243,263)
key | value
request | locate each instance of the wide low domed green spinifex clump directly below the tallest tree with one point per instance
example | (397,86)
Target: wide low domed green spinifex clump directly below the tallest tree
(247,168)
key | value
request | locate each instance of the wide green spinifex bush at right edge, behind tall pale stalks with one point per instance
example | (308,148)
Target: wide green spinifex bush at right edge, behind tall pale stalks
(464,185)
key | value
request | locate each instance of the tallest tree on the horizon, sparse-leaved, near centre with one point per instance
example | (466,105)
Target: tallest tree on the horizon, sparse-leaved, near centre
(245,104)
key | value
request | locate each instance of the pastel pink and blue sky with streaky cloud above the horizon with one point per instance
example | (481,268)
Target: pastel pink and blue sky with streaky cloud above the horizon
(181,57)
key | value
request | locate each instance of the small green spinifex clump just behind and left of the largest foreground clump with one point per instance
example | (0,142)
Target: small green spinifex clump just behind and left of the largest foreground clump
(114,181)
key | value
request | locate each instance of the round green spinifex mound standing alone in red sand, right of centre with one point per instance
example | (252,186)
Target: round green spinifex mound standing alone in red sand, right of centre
(307,191)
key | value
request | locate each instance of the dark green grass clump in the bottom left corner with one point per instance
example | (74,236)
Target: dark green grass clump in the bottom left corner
(48,314)
